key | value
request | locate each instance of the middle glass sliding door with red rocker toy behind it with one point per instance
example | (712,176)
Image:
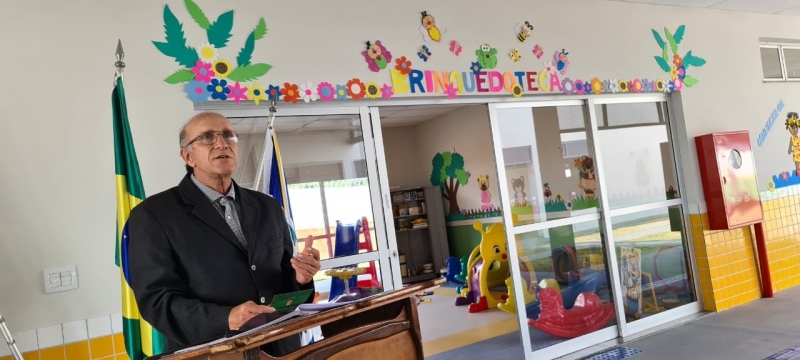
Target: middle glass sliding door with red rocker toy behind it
(550,201)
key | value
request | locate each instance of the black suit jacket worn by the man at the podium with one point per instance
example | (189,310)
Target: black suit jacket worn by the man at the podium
(188,270)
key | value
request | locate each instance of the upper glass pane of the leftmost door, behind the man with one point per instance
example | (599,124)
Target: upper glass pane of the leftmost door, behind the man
(325,168)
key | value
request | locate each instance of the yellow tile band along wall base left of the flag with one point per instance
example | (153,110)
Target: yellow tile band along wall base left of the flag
(111,347)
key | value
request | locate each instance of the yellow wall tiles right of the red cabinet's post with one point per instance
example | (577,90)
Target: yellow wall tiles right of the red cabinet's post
(783,238)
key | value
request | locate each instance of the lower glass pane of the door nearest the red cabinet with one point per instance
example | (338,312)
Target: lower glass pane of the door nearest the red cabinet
(653,262)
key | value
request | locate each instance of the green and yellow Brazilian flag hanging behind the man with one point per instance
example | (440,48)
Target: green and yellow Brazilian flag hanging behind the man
(141,339)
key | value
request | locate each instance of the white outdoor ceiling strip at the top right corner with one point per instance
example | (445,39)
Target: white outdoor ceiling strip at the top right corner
(783,7)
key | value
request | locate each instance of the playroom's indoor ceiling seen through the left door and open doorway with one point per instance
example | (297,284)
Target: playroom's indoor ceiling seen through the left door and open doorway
(391,116)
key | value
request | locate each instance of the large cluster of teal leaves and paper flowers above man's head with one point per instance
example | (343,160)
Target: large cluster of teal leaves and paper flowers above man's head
(203,63)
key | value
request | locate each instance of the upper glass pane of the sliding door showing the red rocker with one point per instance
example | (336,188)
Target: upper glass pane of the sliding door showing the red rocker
(549,167)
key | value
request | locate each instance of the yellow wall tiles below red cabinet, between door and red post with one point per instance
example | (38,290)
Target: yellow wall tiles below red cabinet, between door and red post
(726,264)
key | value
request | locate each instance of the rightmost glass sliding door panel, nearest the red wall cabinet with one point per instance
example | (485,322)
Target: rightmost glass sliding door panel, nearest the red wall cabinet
(645,211)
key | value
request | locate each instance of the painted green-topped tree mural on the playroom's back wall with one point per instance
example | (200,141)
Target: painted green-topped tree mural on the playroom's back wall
(448,173)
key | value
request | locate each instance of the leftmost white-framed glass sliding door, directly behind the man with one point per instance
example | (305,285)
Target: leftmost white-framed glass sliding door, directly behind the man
(333,189)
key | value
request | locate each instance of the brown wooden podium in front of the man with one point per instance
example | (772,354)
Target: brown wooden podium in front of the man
(385,326)
